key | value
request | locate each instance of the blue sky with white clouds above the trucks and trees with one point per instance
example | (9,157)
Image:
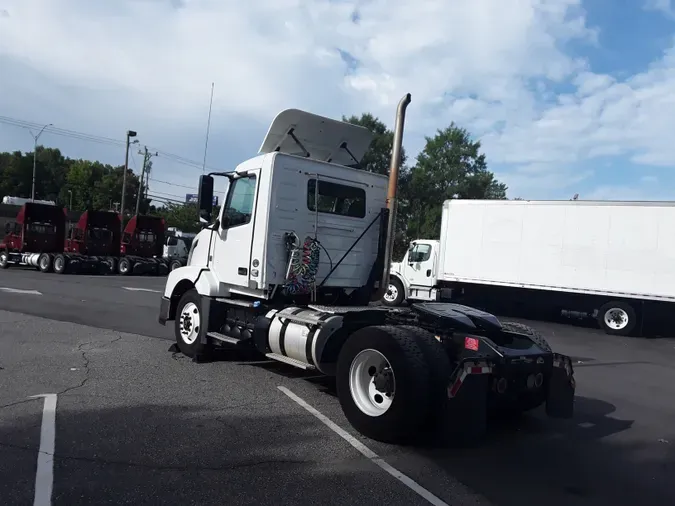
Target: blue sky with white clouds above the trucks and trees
(567,96)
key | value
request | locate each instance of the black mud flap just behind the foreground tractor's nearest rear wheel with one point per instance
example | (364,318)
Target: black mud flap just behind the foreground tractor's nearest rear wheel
(463,419)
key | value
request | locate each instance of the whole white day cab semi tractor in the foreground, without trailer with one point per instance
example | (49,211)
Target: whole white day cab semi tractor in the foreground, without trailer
(289,268)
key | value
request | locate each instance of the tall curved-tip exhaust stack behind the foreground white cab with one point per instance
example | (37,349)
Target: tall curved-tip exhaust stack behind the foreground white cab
(391,194)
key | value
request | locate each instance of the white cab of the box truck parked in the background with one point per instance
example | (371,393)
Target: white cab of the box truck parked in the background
(416,275)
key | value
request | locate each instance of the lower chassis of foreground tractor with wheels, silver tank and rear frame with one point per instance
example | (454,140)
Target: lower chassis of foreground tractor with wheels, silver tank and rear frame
(398,372)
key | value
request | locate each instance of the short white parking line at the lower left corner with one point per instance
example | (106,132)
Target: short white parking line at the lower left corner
(44,477)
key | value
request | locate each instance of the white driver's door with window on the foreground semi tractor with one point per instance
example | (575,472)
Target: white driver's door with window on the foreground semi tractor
(232,251)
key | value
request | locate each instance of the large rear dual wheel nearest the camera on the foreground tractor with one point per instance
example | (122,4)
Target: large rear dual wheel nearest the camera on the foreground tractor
(383,384)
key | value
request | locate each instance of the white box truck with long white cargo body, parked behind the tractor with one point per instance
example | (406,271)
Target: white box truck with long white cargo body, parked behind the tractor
(611,261)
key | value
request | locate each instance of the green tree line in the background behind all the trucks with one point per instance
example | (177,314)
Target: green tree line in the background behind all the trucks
(451,165)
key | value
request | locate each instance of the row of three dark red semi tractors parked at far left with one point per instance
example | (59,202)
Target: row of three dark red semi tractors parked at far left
(40,237)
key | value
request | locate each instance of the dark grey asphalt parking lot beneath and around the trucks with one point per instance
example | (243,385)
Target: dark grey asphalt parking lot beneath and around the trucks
(136,424)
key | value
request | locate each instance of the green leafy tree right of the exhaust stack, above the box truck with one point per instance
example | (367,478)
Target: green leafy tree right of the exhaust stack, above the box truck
(449,166)
